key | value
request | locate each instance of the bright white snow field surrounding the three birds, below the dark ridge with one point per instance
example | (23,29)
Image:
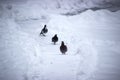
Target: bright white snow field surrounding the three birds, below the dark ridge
(92,38)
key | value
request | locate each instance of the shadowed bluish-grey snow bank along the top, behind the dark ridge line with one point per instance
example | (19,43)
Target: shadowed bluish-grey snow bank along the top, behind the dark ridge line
(65,7)
